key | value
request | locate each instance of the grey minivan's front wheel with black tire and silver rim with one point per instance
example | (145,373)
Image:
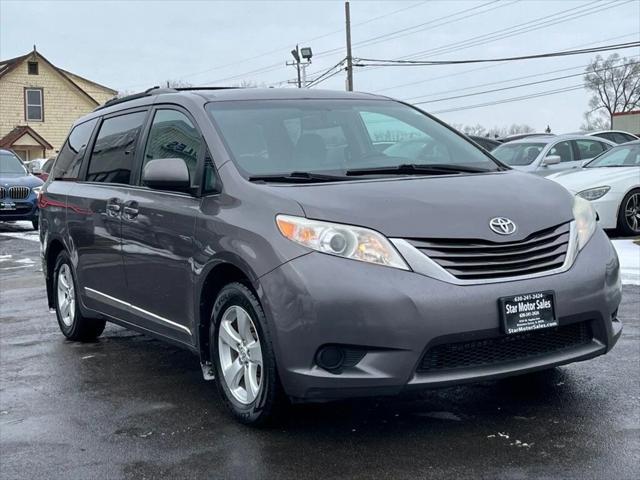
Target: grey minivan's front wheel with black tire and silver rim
(243,357)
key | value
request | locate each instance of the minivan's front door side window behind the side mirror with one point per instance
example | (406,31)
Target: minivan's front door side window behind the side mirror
(173,135)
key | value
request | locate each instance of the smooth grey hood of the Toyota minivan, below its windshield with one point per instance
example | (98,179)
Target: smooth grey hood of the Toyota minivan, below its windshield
(452,206)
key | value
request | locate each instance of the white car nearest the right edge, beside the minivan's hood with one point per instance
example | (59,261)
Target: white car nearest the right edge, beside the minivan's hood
(611,182)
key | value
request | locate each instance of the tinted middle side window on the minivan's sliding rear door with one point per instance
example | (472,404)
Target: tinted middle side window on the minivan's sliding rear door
(114,150)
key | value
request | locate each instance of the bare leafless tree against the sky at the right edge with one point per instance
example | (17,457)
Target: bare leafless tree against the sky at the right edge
(615,86)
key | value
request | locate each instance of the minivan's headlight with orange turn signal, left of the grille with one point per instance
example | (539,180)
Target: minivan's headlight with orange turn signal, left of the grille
(341,240)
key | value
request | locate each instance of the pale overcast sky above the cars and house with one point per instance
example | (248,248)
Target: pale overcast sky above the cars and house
(136,44)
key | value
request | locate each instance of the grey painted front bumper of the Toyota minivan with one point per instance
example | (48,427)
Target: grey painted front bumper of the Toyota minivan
(396,316)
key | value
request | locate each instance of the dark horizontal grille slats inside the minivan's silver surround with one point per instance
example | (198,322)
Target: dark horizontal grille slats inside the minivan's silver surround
(484,259)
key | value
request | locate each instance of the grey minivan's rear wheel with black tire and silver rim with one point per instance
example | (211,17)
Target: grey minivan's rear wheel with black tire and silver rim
(72,323)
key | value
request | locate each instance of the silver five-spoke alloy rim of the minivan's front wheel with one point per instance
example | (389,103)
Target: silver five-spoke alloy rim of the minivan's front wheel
(240,354)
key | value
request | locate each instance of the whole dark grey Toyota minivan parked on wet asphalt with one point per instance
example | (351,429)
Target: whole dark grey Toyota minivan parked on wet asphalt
(263,230)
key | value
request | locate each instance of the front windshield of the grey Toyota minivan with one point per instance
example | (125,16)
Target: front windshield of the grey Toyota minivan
(334,137)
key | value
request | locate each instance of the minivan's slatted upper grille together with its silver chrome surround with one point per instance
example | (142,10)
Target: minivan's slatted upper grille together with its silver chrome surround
(554,252)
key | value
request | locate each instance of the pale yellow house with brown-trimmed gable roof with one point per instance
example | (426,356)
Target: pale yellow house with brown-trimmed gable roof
(39,102)
